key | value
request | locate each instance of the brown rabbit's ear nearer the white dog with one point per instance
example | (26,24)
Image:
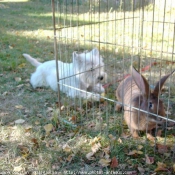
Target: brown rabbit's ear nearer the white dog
(141,82)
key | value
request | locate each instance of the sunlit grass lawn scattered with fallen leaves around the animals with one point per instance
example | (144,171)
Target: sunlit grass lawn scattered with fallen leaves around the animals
(43,142)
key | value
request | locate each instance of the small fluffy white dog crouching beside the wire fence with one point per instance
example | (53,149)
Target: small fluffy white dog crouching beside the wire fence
(86,73)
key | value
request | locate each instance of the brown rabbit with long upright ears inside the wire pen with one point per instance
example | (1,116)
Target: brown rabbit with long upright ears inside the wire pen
(134,91)
